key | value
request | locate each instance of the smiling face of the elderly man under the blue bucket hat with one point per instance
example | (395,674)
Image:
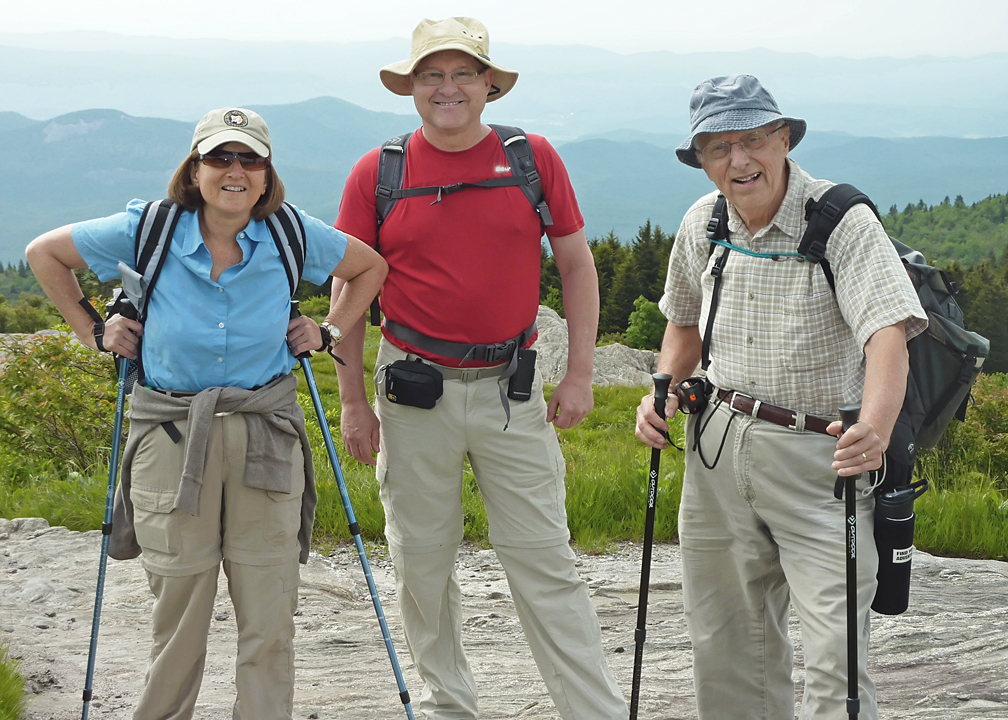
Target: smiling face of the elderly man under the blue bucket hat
(753,181)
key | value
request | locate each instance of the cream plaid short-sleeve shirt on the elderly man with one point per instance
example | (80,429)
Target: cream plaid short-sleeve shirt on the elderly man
(781,334)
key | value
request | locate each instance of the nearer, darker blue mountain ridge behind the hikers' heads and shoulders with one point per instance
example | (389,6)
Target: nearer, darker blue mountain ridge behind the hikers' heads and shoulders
(91,163)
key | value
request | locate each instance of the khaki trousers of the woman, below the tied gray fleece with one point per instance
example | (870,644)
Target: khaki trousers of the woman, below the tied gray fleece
(256,534)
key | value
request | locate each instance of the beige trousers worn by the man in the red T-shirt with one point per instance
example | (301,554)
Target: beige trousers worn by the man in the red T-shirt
(521,475)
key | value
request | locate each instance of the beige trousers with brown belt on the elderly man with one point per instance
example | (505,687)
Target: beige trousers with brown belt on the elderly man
(763,533)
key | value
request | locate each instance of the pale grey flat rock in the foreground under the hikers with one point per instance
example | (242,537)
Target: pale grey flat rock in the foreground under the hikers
(946,659)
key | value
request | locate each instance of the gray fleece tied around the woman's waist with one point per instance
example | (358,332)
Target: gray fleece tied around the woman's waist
(275,421)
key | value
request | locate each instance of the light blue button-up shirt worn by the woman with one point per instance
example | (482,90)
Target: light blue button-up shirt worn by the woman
(199,333)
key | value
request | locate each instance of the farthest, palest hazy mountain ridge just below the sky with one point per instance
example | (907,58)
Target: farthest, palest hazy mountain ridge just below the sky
(565,92)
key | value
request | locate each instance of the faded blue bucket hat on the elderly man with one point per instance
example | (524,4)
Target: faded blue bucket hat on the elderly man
(730,103)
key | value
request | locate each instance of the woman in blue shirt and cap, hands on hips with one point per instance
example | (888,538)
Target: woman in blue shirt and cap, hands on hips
(217,466)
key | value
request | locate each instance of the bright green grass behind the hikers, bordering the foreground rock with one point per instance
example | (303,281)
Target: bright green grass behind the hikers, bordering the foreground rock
(966,514)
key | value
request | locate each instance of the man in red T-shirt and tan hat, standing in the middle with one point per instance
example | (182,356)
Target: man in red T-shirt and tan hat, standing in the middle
(464,275)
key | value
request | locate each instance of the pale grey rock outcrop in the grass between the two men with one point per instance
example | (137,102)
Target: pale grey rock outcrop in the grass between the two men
(614,365)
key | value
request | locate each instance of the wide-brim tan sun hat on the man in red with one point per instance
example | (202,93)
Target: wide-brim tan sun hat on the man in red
(454,34)
